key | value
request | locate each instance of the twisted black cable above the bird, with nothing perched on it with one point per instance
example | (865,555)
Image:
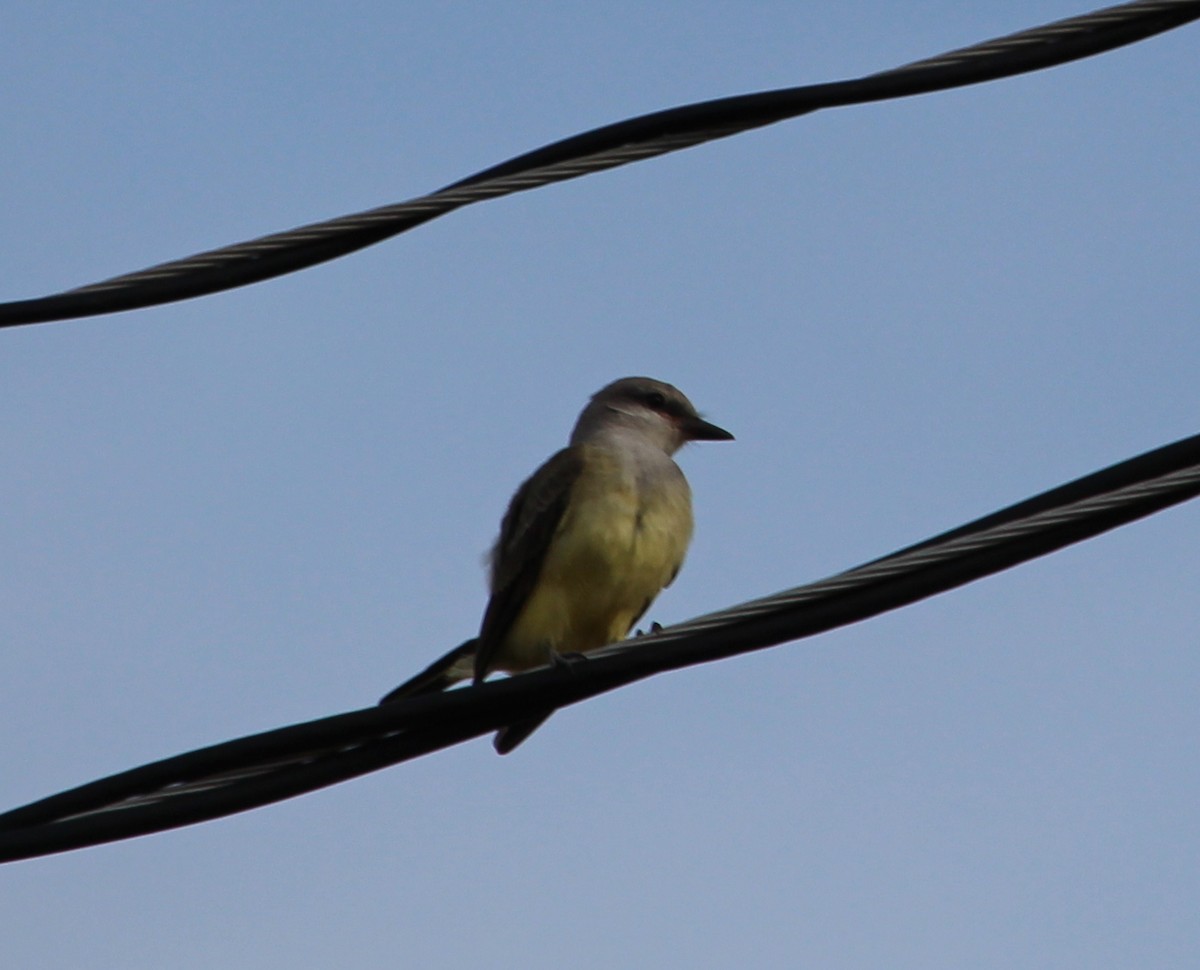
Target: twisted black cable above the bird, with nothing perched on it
(602,149)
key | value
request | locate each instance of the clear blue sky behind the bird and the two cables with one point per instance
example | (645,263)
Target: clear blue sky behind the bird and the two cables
(268,506)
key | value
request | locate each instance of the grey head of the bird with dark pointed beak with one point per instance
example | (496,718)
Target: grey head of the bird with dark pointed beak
(652,409)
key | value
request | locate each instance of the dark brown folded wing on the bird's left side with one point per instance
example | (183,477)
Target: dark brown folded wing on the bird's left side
(526,534)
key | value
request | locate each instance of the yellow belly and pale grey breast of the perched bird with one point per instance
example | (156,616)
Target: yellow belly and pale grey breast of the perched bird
(615,550)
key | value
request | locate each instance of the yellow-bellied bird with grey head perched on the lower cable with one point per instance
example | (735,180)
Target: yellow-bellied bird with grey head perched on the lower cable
(587,543)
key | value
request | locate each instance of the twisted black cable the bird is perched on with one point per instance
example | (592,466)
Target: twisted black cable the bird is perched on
(262,769)
